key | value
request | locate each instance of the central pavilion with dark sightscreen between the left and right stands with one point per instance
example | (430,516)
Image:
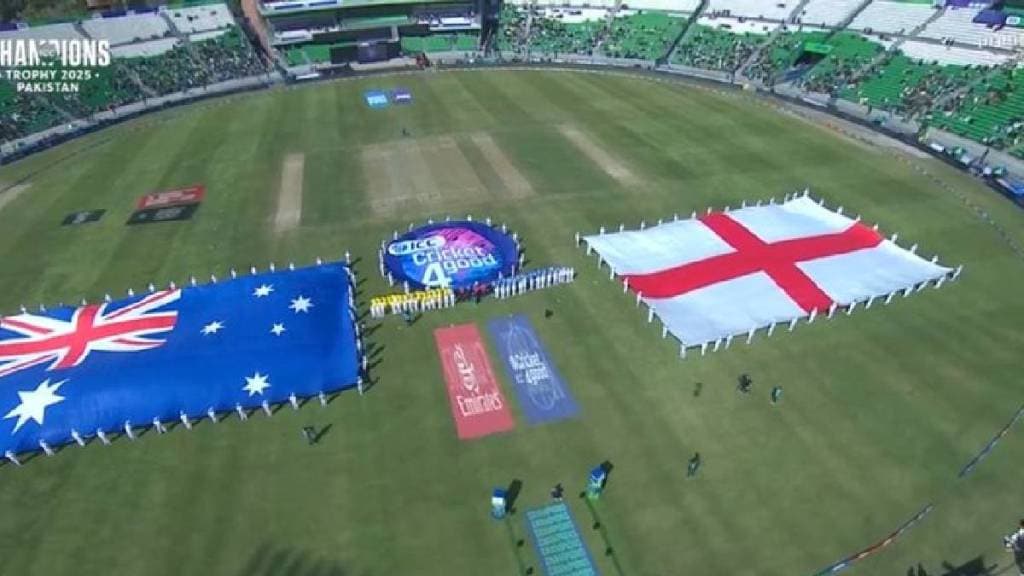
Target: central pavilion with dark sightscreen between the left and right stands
(312,36)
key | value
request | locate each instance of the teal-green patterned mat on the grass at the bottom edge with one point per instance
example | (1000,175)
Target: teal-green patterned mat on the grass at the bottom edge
(559,543)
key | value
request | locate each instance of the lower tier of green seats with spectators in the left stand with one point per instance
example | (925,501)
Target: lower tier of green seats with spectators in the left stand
(191,65)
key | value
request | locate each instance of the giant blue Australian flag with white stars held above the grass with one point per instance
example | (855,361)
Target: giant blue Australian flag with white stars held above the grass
(263,338)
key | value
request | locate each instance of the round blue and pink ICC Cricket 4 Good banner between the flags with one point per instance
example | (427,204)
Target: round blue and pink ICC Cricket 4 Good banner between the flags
(455,255)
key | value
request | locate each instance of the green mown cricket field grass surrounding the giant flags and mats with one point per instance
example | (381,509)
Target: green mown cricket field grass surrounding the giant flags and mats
(880,413)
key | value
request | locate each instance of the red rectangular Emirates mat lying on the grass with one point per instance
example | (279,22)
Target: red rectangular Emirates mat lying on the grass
(478,404)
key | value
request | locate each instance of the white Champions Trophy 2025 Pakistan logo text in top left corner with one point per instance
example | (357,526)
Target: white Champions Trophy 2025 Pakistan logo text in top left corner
(53,66)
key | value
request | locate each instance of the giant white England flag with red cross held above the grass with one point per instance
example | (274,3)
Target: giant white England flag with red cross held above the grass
(730,273)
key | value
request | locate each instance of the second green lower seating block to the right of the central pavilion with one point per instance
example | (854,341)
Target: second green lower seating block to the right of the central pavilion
(644,35)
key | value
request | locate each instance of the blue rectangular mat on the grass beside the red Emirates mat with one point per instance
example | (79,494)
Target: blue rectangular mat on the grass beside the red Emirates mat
(543,394)
